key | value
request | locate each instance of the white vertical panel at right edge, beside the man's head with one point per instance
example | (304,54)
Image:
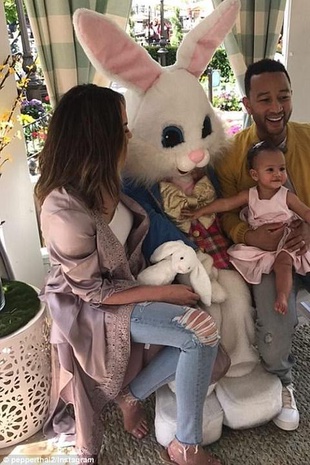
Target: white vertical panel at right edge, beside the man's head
(297,55)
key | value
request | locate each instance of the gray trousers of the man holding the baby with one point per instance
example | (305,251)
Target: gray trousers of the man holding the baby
(274,331)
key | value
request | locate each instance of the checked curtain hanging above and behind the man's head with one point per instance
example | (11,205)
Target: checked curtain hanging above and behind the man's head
(255,34)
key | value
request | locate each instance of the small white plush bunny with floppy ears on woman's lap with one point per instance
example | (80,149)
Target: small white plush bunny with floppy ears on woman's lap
(172,258)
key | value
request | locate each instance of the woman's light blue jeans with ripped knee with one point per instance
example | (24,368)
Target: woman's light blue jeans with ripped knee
(190,338)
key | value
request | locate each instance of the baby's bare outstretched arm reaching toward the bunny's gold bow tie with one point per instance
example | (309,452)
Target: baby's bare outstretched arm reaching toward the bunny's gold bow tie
(218,206)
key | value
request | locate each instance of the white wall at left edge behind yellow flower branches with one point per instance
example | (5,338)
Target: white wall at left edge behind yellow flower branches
(20,231)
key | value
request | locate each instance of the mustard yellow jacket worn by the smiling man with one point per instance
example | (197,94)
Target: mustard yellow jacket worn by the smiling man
(233,174)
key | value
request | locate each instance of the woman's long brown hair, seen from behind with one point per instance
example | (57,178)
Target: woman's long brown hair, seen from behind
(84,143)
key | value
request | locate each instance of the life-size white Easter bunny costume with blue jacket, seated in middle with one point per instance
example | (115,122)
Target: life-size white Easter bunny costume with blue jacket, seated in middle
(175,134)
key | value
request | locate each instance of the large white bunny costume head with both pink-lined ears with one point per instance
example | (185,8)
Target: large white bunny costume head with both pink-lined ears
(174,126)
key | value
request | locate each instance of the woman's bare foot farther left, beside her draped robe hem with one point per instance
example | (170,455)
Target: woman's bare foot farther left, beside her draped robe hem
(133,414)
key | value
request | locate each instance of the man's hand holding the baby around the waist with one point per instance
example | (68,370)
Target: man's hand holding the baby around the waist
(265,237)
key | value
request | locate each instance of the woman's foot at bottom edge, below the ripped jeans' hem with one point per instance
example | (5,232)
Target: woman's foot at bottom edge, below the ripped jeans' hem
(181,454)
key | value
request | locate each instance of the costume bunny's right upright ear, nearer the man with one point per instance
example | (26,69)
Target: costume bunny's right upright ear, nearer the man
(199,44)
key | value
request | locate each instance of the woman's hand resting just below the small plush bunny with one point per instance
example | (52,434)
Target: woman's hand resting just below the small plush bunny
(178,294)
